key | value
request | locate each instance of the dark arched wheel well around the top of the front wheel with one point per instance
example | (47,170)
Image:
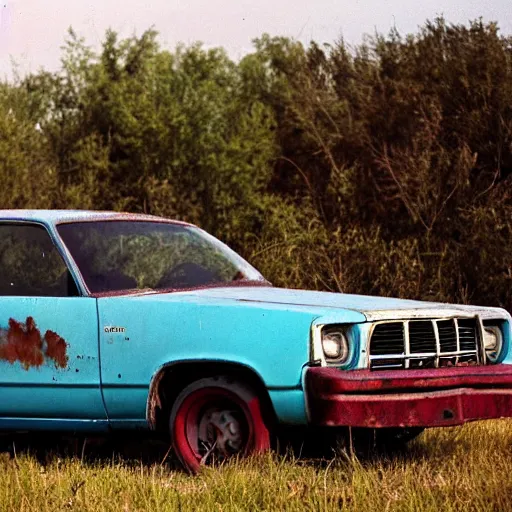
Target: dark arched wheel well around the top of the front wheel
(172,379)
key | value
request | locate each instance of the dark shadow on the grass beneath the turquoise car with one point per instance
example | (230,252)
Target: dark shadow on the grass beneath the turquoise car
(313,449)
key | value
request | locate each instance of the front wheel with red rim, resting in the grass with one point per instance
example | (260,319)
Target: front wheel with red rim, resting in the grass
(215,419)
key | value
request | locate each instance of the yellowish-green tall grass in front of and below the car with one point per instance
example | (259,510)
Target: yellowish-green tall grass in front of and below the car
(465,468)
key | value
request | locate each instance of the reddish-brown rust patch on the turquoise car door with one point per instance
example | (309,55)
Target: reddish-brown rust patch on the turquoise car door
(23,342)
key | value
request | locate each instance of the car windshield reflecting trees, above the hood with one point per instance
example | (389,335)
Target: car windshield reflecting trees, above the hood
(126,255)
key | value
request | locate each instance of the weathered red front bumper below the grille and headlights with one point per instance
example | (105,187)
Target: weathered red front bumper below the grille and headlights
(408,398)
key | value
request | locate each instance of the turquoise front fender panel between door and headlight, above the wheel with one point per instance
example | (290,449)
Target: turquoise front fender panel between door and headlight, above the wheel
(187,326)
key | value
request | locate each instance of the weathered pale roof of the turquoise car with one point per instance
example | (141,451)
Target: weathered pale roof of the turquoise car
(64,216)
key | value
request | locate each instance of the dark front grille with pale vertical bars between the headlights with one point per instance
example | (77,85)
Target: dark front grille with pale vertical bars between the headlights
(425,343)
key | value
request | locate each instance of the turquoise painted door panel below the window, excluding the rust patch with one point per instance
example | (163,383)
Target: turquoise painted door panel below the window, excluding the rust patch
(48,391)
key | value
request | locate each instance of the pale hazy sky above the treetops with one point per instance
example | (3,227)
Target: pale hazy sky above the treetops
(32,31)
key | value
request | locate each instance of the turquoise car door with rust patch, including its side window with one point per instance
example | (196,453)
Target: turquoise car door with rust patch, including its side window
(49,360)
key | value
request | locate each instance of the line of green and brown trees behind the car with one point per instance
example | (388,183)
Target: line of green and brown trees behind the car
(382,168)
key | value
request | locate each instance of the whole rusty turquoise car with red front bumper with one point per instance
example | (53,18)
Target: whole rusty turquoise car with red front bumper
(121,321)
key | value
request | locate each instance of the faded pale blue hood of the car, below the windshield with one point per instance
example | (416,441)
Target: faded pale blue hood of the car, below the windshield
(373,308)
